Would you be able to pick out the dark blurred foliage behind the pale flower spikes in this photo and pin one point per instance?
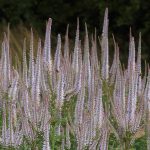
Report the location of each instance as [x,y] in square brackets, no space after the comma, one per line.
[123,14]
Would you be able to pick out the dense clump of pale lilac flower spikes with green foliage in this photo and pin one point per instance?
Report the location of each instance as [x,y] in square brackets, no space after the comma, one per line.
[74,101]
